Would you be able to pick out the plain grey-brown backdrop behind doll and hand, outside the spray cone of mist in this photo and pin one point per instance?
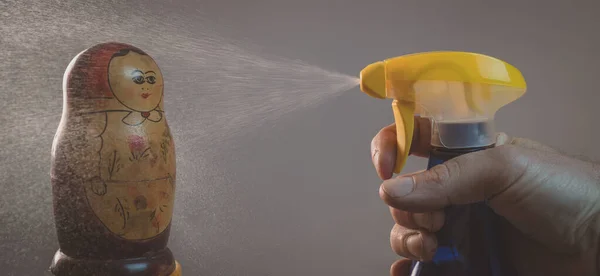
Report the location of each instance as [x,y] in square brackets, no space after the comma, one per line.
[298,197]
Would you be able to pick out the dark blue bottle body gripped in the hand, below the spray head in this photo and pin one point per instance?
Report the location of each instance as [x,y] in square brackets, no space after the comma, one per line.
[468,243]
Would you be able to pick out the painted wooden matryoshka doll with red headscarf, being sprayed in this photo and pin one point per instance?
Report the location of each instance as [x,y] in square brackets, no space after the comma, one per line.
[113,167]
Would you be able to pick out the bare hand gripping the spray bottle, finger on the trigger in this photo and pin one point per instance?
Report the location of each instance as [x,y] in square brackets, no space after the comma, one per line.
[551,201]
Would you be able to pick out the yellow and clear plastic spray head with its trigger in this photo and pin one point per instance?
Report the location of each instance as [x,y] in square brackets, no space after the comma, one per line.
[447,87]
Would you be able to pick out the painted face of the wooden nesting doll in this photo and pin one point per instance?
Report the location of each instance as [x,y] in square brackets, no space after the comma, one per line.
[135,80]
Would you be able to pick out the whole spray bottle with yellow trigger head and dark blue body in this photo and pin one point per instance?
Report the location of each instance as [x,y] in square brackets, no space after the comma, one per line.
[460,93]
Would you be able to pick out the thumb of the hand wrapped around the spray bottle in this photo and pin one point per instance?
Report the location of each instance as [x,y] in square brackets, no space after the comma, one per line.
[465,179]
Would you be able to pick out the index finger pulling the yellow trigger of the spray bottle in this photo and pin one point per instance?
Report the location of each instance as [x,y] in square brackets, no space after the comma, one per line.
[384,146]
